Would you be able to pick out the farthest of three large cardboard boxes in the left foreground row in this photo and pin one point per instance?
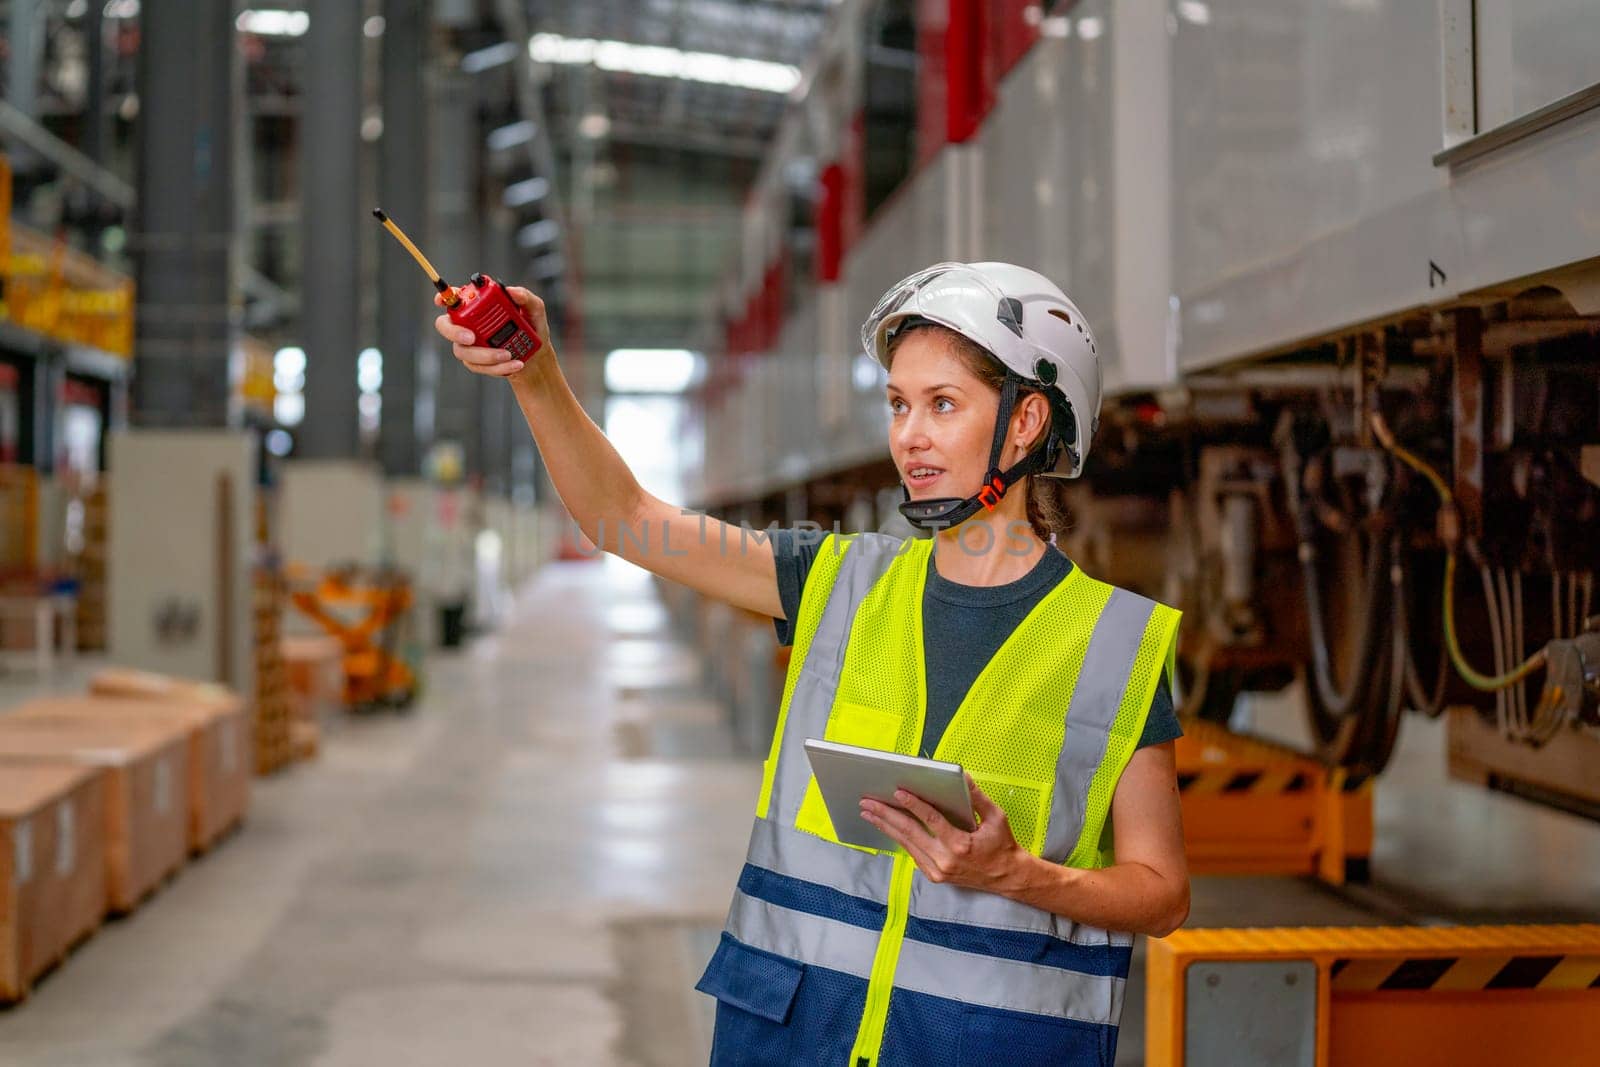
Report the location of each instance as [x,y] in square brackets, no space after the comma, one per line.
[220,757]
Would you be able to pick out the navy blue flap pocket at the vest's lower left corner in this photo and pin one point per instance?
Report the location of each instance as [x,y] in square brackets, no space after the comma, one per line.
[756,993]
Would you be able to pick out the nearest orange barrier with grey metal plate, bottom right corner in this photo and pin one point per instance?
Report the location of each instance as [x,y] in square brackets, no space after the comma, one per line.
[1375,997]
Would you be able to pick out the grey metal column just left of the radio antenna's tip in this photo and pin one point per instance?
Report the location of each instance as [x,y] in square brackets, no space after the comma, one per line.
[330,220]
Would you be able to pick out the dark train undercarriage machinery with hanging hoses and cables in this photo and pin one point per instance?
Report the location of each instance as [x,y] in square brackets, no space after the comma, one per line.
[1380,613]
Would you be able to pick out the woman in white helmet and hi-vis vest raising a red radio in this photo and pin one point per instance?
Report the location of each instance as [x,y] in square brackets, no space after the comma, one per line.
[982,645]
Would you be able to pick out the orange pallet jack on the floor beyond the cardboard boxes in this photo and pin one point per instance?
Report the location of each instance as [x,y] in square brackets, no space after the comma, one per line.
[367,612]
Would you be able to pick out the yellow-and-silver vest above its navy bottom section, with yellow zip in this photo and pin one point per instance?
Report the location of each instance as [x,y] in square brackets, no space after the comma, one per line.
[857,673]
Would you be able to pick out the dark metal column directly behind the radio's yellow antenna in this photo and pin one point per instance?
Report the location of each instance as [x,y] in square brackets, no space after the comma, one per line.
[404,295]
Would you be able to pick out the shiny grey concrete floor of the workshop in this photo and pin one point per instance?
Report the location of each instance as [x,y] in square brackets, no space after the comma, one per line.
[534,865]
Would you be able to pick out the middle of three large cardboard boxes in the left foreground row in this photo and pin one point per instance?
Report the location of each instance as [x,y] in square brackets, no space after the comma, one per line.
[146,773]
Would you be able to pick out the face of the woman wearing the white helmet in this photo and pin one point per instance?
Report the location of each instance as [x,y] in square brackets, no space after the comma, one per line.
[943,418]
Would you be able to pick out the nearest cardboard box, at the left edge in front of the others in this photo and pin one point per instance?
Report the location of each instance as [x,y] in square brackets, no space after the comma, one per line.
[54,889]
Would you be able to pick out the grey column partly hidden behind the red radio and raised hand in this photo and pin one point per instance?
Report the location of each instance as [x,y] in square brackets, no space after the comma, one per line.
[457,151]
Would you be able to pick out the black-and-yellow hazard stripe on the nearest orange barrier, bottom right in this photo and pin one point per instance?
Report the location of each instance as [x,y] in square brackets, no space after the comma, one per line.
[1466,973]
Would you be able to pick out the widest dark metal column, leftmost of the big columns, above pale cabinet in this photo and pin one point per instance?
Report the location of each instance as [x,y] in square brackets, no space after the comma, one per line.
[185,217]
